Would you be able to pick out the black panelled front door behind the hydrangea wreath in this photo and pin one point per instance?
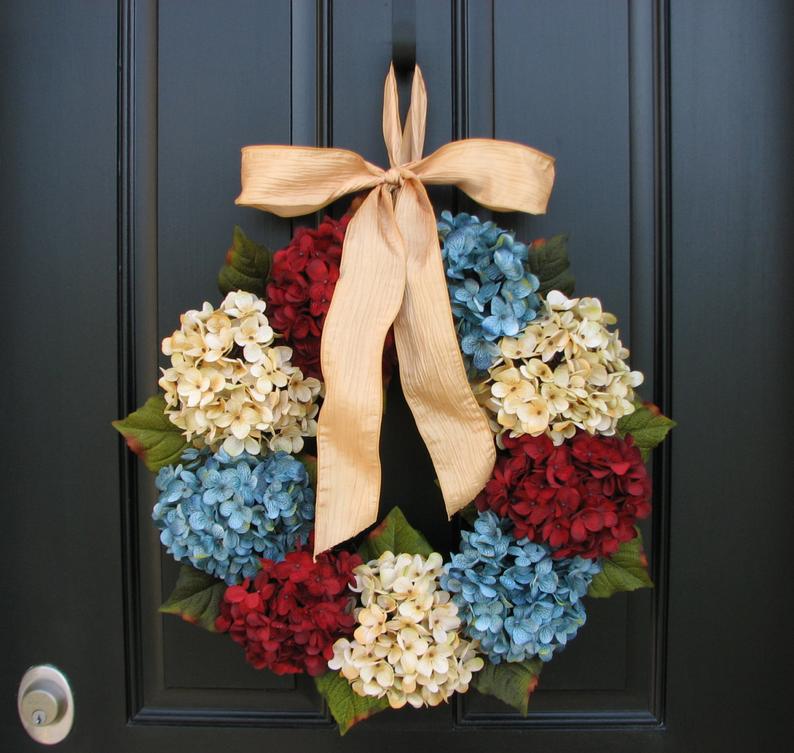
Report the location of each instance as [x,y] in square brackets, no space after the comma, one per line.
[120,131]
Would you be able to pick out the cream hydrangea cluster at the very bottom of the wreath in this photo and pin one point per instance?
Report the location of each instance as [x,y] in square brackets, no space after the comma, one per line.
[406,645]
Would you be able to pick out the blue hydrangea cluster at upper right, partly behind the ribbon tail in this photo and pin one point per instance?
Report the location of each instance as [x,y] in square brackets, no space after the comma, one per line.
[491,290]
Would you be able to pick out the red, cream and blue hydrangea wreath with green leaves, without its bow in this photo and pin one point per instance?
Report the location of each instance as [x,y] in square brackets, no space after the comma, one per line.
[392,623]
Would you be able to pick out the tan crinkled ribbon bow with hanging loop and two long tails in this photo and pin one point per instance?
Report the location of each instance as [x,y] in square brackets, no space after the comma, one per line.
[392,273]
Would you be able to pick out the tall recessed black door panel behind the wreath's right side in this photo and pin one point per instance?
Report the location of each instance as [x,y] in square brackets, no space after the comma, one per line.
[579,112]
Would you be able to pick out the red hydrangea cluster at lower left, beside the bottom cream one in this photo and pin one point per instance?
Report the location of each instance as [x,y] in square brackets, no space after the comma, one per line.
[296,610]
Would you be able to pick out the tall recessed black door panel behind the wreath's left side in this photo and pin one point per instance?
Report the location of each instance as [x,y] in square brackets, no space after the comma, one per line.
[218,86]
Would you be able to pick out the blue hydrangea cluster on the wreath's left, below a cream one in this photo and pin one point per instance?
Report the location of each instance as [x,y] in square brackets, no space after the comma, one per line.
[223,514]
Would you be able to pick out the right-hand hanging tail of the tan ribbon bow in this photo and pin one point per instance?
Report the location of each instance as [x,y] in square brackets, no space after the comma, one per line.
[432,373]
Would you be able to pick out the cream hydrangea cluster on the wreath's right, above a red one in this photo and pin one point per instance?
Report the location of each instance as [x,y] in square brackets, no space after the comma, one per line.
[565,370]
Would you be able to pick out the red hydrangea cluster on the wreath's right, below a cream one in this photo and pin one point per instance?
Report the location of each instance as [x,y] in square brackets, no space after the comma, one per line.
[582,498]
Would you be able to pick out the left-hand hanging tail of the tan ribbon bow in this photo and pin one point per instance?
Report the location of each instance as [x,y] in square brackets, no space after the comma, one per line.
[366,300]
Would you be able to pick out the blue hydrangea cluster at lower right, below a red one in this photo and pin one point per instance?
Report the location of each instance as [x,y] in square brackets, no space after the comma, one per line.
[512,596]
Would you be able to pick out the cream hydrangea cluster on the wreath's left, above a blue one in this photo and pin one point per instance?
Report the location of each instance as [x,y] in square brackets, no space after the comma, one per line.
[229,386]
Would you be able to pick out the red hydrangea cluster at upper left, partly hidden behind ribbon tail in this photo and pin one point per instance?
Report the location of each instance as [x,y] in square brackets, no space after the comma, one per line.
[299,293]
